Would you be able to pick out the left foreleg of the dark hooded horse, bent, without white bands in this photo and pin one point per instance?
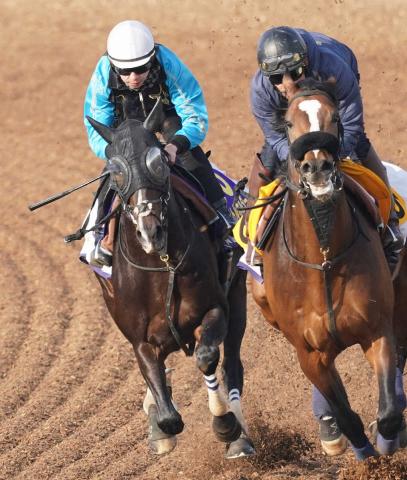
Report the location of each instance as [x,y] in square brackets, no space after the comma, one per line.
[153,370]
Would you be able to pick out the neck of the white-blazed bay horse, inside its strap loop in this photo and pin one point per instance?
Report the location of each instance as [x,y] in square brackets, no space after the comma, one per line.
[310,227]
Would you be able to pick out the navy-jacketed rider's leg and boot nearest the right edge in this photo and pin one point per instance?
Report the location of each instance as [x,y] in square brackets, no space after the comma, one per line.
[392,237]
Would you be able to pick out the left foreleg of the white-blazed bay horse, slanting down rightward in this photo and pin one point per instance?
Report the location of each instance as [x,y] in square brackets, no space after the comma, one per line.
[325,377]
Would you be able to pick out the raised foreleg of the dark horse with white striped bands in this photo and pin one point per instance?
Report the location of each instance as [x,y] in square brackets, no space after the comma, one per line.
[209,335]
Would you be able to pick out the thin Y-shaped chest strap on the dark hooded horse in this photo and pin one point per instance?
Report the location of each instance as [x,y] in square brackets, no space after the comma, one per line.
[187,349]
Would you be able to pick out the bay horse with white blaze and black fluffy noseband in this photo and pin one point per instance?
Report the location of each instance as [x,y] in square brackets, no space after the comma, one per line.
[327,285]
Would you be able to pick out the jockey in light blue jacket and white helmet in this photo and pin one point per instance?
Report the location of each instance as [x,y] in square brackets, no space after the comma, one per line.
[127,81]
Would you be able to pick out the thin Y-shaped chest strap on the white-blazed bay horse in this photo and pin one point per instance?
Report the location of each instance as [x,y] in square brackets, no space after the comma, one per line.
[325,267]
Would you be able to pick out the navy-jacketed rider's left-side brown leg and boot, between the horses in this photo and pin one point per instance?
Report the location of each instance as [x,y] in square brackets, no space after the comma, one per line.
[259,176]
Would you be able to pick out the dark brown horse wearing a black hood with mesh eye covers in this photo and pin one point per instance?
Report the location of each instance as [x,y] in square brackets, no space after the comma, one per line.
[165,294]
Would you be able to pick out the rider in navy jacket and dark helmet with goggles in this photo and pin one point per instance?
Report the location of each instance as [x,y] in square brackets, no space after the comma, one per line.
[304,54]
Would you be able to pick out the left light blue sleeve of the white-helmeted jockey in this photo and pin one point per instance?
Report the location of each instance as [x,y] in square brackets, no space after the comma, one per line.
[98,106]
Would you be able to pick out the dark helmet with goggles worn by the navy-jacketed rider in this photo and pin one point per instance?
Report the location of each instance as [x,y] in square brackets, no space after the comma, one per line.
[279,49]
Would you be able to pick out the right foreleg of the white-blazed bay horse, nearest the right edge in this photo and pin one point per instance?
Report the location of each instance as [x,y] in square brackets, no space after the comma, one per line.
[381,355]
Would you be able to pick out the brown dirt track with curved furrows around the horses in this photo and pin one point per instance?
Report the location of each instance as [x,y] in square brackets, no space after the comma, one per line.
[70,391]
